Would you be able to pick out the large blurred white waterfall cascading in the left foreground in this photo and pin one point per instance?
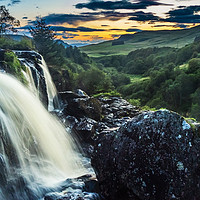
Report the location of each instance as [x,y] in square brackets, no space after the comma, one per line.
[34,146]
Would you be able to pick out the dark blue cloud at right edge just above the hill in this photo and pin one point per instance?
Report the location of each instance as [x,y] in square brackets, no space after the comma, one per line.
[188,14]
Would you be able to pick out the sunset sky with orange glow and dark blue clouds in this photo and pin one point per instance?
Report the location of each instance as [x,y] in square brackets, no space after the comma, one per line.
[83,22]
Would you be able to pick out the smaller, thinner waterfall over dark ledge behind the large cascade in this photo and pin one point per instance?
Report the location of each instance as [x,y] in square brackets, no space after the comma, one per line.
[37,70]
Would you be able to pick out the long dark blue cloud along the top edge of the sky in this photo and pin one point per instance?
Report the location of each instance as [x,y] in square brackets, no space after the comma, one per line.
[114,5]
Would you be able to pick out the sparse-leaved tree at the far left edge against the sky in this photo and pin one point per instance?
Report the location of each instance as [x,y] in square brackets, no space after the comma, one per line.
[7,22]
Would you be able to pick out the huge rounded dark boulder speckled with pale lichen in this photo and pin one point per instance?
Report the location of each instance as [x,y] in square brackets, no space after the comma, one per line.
[152,157]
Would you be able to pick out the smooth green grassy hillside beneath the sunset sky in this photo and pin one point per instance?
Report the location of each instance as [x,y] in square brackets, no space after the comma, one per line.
[144,39]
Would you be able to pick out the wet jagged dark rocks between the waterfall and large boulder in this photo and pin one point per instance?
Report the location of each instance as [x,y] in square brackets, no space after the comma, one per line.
[89,117]
